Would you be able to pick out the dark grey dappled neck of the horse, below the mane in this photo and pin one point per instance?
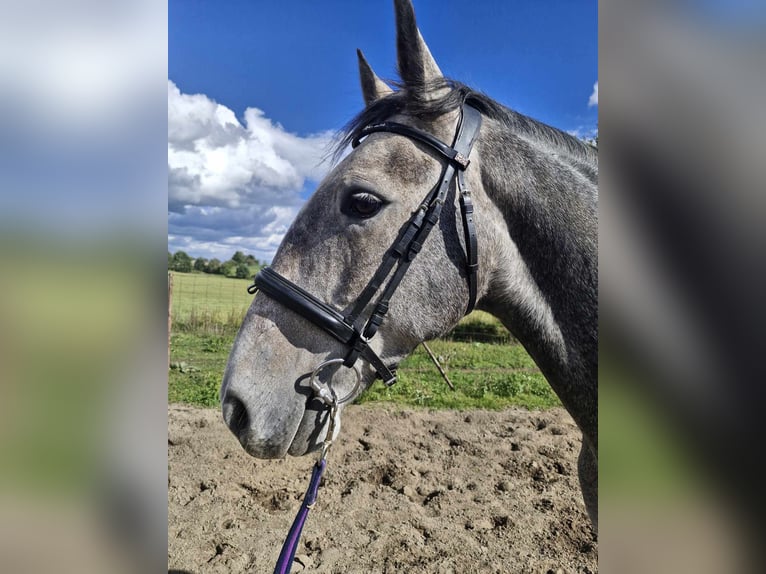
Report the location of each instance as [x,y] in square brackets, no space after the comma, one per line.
[542,280]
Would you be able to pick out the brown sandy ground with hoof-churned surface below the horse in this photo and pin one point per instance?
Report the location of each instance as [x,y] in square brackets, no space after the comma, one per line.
[404,491]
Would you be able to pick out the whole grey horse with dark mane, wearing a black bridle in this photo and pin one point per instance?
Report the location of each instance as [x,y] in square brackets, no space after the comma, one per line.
[535,194]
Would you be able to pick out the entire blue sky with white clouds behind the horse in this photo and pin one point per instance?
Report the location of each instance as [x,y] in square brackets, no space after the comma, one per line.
[238,177]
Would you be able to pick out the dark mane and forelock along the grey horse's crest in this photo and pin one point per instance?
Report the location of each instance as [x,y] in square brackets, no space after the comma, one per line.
[405,101]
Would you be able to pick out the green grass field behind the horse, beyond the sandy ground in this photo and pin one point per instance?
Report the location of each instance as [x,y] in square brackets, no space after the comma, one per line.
[489,370]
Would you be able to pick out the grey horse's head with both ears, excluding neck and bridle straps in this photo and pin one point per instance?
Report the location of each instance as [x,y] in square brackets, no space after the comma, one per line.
[336,245]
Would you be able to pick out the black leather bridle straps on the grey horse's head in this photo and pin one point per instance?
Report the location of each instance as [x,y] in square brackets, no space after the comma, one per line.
[352,329]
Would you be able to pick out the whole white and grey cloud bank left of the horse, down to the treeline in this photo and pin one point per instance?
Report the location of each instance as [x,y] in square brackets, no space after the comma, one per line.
[233,185]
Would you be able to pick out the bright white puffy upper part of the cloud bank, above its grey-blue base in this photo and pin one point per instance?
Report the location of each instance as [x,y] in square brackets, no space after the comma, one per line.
[215,160]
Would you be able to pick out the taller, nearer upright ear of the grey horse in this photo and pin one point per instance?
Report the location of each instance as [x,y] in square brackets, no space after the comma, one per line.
[417,67]
